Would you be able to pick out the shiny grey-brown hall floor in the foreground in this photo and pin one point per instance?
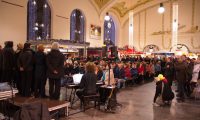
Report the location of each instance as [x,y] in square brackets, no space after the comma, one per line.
[137,105]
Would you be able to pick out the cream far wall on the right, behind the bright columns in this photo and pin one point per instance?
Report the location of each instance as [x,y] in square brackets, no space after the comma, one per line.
[154,22]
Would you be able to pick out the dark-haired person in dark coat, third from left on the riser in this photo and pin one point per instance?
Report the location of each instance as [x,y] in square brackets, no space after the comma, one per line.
[25,64]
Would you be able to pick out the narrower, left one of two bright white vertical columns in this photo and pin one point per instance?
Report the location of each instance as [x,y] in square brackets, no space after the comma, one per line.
[130,43]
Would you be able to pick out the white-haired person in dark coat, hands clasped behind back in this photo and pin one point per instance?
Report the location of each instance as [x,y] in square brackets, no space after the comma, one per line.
[55,70]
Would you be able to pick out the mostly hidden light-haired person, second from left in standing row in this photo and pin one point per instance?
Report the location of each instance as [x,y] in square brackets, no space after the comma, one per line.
[17,76]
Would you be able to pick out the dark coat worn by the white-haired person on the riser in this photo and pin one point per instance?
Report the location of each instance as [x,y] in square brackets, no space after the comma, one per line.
[55,62]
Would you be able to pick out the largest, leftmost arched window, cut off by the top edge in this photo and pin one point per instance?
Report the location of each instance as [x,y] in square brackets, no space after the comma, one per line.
[38,20]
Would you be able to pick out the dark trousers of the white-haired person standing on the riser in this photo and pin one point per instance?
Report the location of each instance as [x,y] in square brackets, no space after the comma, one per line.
[54,88]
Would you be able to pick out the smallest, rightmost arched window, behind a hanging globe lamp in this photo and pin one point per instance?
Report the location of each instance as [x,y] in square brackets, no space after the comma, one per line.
[109,32]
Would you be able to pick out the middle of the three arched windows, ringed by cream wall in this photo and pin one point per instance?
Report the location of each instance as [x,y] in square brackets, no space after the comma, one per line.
[77,24]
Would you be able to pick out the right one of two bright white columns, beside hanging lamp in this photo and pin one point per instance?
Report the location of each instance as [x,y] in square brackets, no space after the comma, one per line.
[175,25]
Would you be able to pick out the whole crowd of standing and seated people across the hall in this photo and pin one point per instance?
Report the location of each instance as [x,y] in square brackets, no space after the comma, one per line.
[29,70]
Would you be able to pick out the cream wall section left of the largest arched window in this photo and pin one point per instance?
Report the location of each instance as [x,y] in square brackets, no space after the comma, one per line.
[13,22]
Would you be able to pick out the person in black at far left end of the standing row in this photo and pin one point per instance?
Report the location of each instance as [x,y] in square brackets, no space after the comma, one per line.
[8,62]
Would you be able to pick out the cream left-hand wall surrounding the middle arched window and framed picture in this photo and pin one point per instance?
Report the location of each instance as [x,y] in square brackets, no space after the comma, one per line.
[13,20]
